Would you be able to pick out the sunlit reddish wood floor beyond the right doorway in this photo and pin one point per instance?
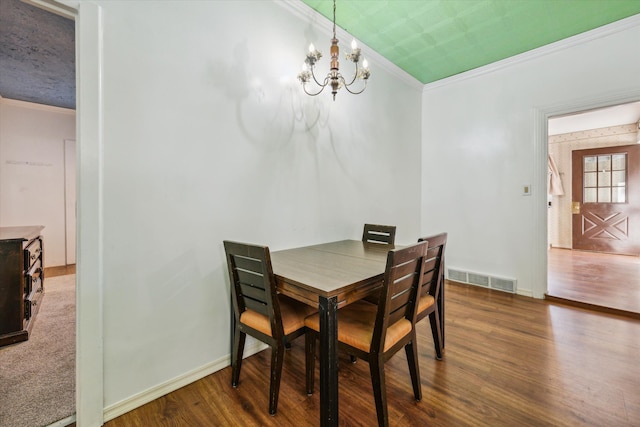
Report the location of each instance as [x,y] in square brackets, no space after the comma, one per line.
[595,280]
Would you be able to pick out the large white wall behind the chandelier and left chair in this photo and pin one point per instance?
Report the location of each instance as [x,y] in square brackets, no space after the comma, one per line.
[203,134]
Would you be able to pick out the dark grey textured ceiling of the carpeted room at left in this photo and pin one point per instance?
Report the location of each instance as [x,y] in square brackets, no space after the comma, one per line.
[37,55]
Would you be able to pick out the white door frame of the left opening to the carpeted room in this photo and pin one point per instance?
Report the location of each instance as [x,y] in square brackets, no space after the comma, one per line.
[89,196]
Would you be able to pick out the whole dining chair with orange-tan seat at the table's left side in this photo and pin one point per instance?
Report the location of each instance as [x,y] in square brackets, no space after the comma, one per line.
[260,312]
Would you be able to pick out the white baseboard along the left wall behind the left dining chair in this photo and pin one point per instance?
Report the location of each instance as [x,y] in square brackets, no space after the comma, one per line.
[144,397]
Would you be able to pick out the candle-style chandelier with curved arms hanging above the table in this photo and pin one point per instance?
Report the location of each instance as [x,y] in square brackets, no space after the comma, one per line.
[333,78]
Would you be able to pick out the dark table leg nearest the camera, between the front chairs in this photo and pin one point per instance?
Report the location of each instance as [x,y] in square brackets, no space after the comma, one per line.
[328,311]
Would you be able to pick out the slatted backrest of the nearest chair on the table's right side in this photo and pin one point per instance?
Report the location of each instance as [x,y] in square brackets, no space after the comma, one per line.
[400,290]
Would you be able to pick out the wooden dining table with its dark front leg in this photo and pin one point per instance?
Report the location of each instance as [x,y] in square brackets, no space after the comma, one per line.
[330,276]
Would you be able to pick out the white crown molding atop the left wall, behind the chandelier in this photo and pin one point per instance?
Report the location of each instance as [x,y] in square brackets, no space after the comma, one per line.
[308,14]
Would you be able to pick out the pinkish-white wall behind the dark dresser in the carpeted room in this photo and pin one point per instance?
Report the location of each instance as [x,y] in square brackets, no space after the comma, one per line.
[32,170]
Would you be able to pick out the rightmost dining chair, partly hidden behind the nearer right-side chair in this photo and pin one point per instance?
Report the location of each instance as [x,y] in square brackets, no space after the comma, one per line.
[431,288]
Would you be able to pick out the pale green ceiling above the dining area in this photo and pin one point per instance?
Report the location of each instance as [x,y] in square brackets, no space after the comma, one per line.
[434,39]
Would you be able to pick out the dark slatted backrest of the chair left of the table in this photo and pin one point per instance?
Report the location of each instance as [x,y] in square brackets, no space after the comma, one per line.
[253,283]
